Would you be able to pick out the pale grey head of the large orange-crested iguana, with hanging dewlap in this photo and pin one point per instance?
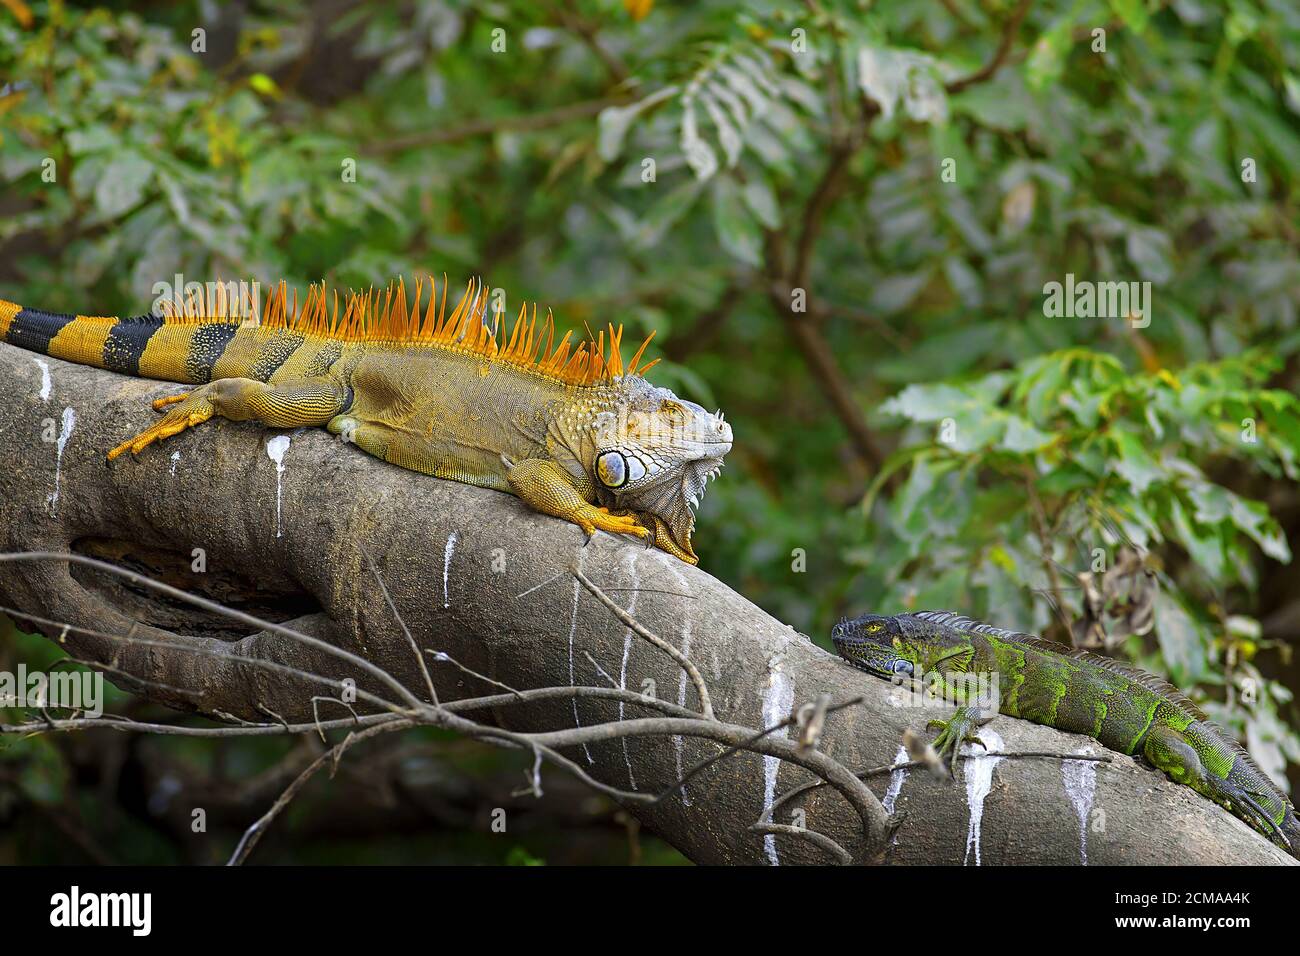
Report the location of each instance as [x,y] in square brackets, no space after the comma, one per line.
[653,453]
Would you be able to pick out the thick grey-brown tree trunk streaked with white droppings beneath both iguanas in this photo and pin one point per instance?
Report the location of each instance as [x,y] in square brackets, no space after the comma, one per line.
[479,576]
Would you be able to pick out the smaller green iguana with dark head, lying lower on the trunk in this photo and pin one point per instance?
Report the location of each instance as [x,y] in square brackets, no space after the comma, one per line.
[1117,704]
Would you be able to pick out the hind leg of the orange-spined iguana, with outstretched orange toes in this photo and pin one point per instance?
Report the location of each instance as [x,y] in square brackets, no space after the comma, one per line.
[285,405]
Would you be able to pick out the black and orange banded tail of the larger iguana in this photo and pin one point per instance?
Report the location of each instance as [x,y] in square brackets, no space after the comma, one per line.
[146,347]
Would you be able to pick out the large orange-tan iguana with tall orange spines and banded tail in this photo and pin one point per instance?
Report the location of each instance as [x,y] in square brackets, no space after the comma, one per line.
[574,432]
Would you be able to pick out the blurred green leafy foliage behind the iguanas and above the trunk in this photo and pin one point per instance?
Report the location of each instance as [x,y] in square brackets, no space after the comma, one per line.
[642,162]
